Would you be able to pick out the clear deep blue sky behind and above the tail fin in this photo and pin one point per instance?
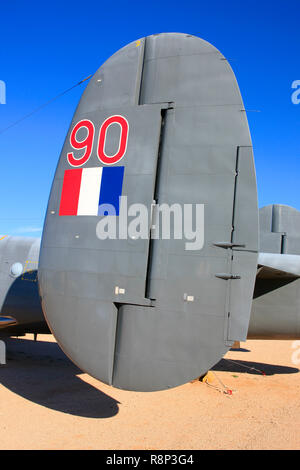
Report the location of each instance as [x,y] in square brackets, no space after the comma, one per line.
[47,47]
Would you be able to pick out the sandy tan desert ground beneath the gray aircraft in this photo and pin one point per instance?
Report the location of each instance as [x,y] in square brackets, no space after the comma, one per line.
[48,403]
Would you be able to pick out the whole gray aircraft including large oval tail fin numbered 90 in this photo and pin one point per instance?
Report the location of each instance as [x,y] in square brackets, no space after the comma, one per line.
[161,122]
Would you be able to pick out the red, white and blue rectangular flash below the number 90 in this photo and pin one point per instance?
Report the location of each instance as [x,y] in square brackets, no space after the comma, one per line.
[91,191]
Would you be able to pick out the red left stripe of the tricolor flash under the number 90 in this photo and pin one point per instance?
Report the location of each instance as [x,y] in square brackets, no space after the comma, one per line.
[70,192]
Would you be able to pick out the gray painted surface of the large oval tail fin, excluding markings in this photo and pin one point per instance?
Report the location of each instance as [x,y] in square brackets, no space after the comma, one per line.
[189,143]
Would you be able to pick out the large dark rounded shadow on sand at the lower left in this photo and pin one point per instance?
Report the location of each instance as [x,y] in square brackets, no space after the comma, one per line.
[40,372]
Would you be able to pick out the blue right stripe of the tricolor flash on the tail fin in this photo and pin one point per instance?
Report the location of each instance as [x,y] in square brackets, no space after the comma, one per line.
[111,190]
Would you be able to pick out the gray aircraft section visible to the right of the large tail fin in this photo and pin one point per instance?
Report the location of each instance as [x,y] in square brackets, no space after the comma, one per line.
[276,305]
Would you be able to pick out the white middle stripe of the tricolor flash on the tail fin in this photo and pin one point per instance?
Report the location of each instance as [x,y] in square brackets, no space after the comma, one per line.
[89,191]
